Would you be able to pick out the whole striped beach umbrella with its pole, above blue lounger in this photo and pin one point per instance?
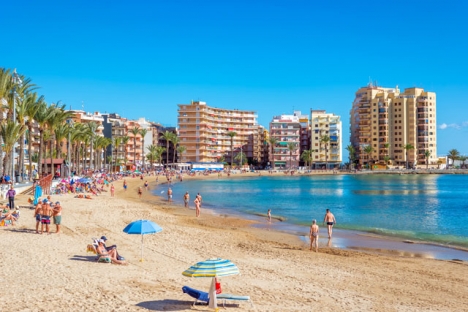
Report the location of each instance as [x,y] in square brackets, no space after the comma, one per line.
[212,268]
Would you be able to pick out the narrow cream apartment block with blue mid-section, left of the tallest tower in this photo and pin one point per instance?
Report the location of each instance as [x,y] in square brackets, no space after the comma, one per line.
[326,139]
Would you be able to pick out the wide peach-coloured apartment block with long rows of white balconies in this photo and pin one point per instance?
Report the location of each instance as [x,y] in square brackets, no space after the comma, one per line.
[203,130]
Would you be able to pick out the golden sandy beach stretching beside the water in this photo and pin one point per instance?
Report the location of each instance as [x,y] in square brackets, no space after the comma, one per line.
[55,273]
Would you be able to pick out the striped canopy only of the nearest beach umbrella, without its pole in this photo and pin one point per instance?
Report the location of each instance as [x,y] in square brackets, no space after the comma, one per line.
[212,268]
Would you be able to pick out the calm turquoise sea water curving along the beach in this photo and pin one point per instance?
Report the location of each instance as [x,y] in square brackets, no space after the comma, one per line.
[431,208]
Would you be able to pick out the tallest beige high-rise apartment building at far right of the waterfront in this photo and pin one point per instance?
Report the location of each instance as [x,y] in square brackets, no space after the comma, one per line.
[393,127]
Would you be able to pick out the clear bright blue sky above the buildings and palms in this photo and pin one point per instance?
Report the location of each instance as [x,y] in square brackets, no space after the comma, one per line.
[142,58]
